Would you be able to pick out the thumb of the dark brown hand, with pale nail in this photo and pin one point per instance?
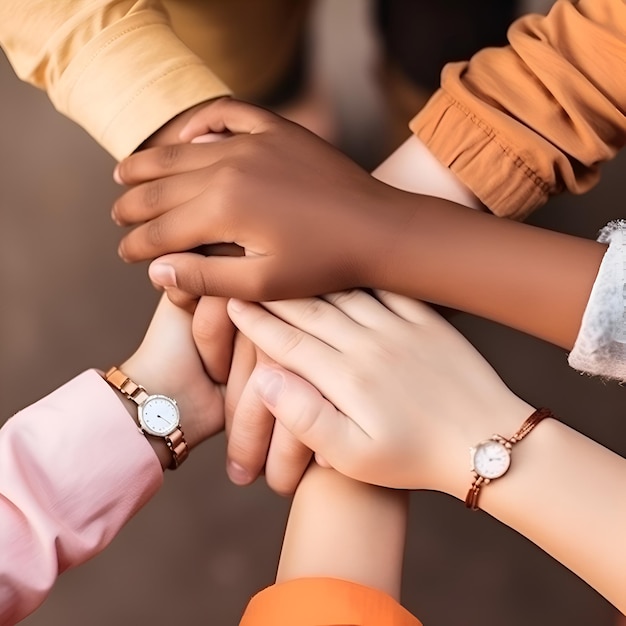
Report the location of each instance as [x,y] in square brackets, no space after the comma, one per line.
[216,275]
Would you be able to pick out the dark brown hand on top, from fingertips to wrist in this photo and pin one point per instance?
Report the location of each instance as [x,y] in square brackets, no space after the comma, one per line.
[309,219]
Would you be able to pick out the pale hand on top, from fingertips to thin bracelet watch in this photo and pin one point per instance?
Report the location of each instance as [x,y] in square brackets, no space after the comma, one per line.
[385,390]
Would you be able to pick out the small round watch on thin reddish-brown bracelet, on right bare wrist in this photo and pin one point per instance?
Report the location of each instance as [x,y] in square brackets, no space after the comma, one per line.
[491,459]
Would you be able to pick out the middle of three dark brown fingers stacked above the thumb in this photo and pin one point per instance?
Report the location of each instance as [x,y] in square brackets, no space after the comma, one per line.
[151,199]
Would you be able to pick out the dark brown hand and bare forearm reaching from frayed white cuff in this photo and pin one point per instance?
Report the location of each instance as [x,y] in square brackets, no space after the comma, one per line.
[311,222]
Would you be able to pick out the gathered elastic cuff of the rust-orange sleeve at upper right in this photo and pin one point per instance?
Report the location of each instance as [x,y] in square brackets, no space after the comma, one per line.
[484,160]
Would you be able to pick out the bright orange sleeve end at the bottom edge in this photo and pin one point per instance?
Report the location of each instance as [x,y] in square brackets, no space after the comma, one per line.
[324,602]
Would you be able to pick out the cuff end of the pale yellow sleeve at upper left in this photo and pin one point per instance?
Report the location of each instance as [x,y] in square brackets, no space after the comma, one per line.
[121,103]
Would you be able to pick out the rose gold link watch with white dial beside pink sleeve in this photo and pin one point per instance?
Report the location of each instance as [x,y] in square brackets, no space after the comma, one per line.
[158,415]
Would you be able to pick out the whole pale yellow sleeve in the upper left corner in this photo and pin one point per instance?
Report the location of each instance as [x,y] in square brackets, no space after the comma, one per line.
[116,68]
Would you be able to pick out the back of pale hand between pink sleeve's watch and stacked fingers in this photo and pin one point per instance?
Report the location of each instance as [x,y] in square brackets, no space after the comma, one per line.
[167,362]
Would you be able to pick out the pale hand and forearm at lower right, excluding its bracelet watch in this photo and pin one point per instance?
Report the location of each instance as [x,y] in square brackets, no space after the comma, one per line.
[411,425]
